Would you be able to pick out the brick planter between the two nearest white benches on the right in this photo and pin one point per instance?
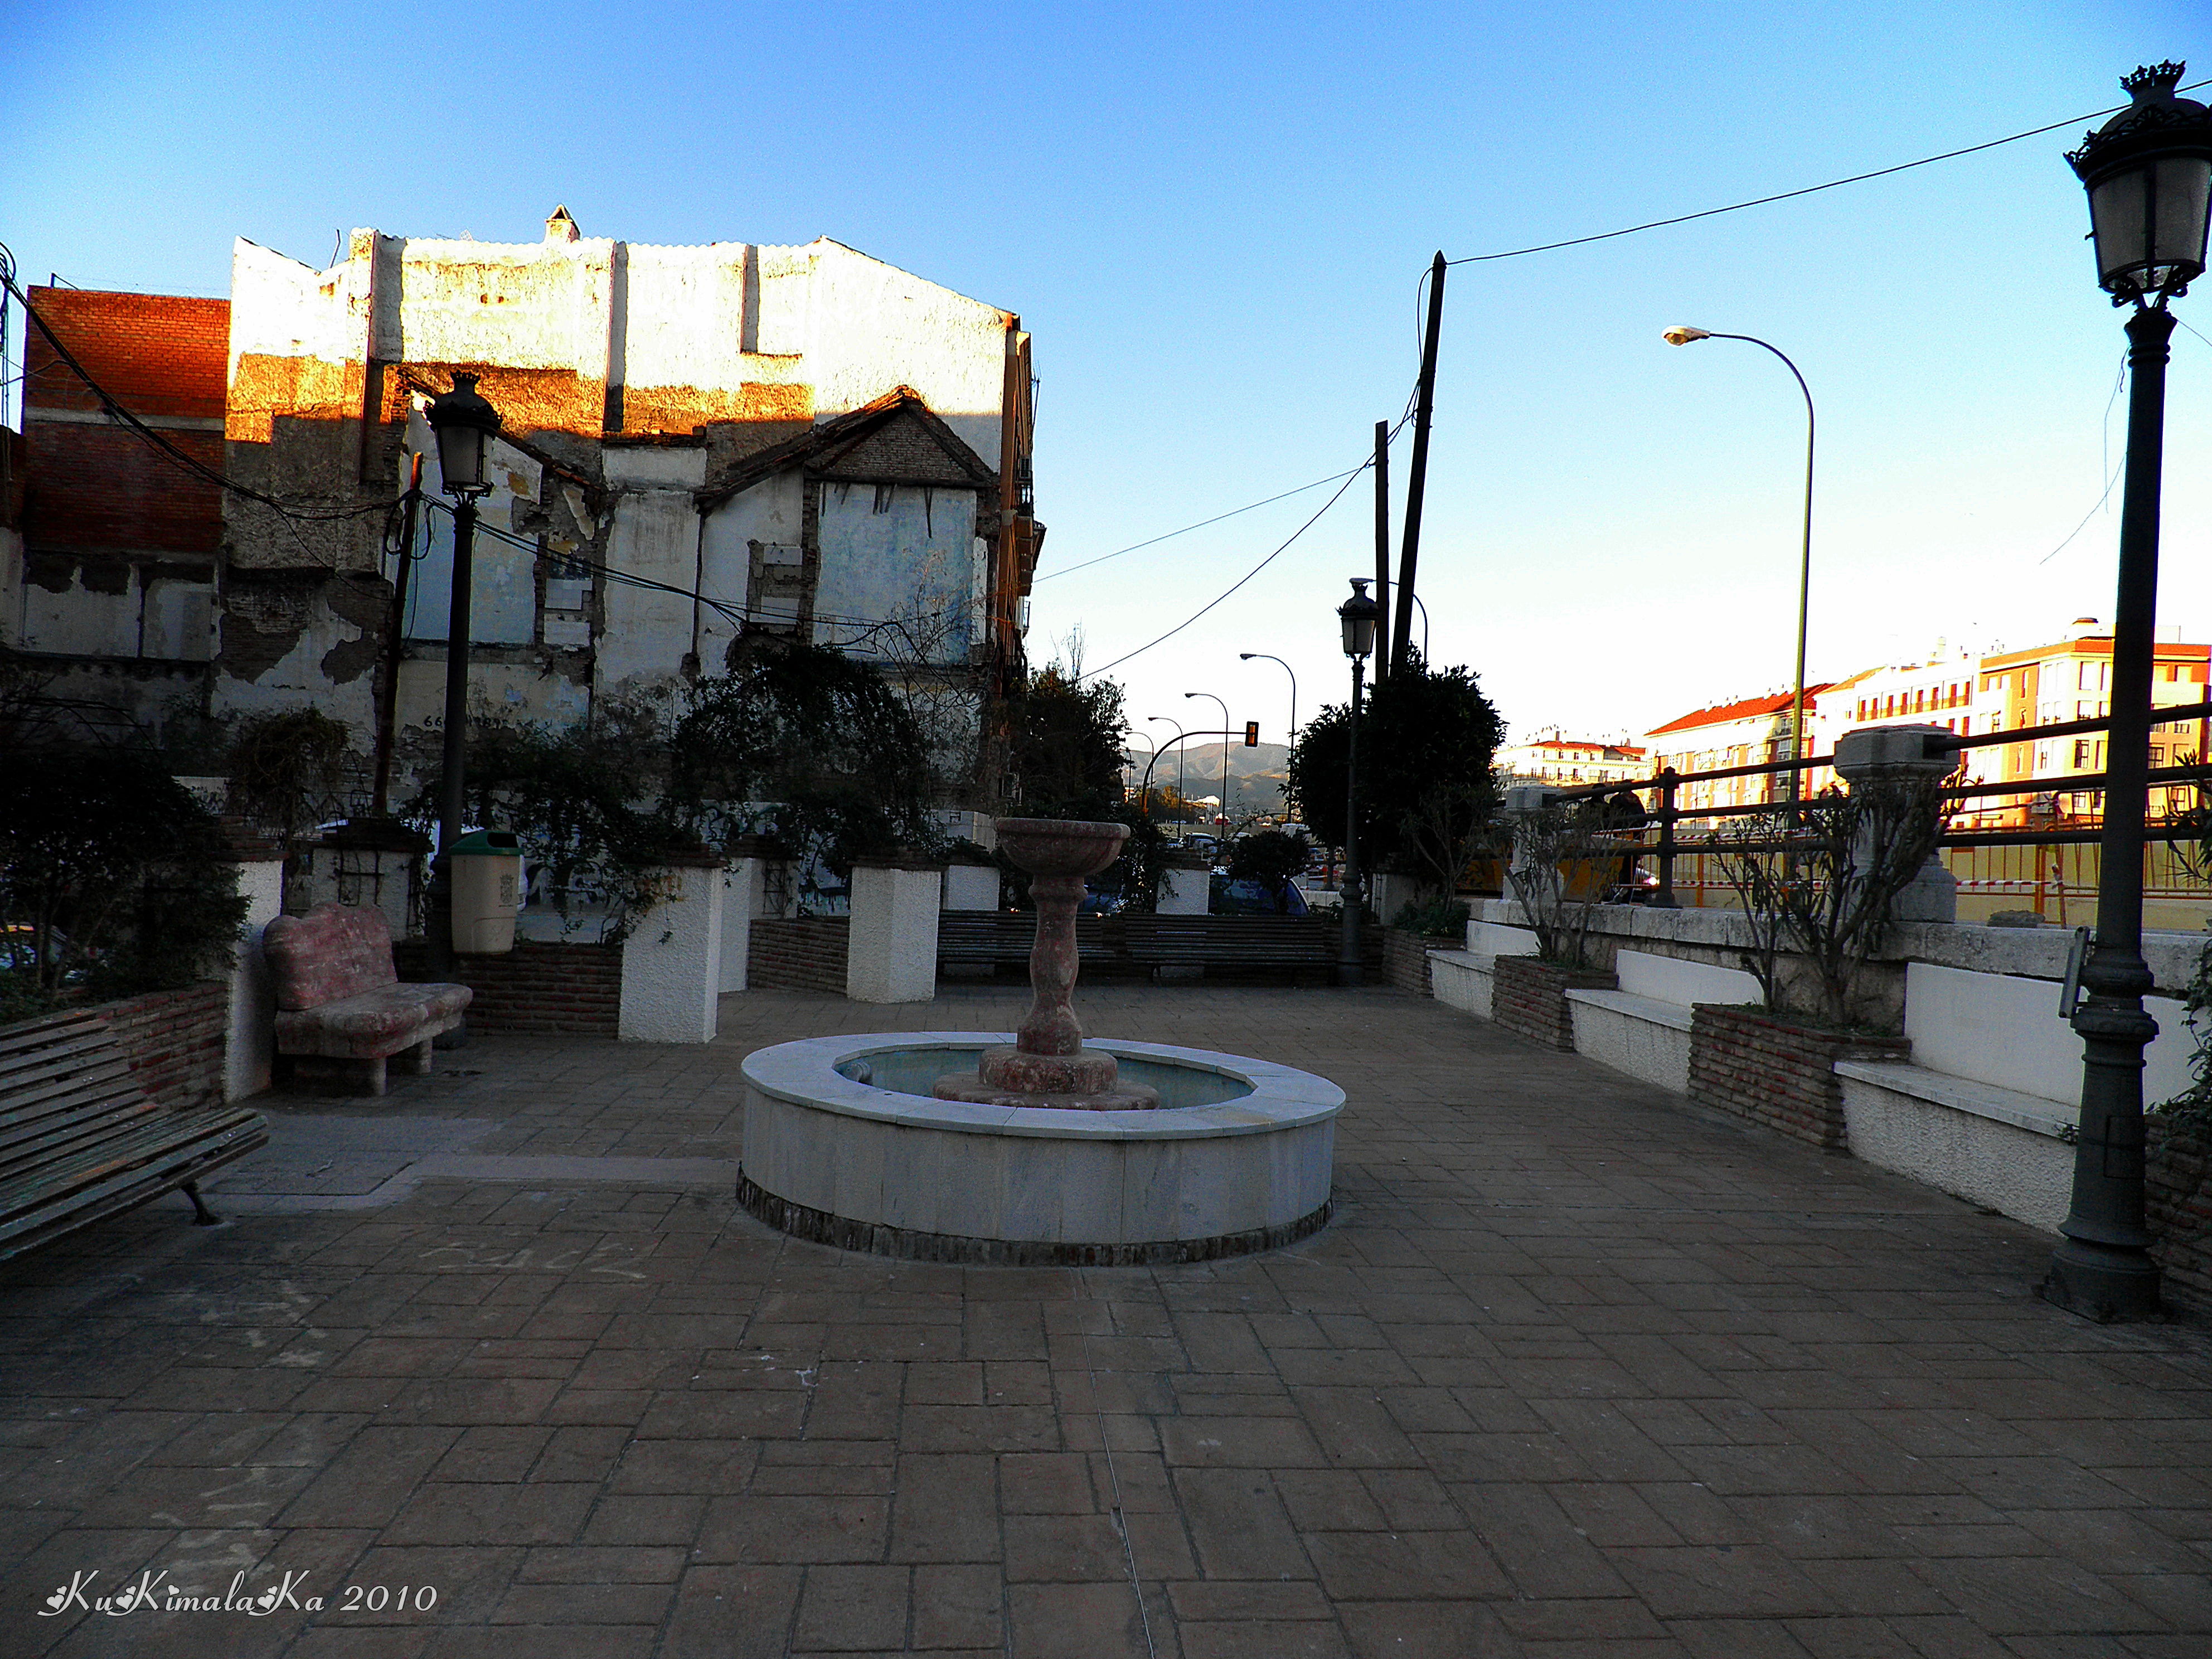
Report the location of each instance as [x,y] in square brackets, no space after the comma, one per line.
[1766,1070]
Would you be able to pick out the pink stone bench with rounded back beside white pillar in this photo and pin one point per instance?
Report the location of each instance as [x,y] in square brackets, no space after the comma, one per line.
[340,997]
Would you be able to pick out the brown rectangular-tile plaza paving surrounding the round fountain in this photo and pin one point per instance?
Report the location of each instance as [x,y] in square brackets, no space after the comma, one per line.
[1576,1370]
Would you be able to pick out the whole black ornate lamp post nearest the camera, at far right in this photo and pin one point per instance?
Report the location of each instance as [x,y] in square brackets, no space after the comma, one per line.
[2149,178]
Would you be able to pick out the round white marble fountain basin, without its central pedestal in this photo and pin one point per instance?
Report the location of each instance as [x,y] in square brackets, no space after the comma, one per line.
[1235,1158]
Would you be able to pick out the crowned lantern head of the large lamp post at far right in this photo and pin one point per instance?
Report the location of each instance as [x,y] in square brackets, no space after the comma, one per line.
[2149,178]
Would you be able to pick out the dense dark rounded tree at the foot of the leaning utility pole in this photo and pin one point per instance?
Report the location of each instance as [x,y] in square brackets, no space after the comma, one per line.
[1426,771]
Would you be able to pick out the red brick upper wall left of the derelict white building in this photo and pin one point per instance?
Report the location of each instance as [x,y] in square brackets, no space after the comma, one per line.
[96,488]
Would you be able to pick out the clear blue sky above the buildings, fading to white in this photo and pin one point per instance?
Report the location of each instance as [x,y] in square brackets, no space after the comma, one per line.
[1215,218]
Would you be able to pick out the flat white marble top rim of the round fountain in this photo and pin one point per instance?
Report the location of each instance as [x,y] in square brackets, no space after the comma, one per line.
[806,1074]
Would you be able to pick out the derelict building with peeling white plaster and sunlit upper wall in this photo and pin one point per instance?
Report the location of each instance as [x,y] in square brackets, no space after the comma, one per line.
[698,446]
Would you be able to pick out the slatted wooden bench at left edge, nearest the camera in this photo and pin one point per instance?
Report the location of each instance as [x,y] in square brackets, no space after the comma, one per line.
[81,1140]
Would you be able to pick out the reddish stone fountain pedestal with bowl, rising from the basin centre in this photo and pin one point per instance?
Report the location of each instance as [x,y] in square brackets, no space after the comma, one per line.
[1047,1065]
